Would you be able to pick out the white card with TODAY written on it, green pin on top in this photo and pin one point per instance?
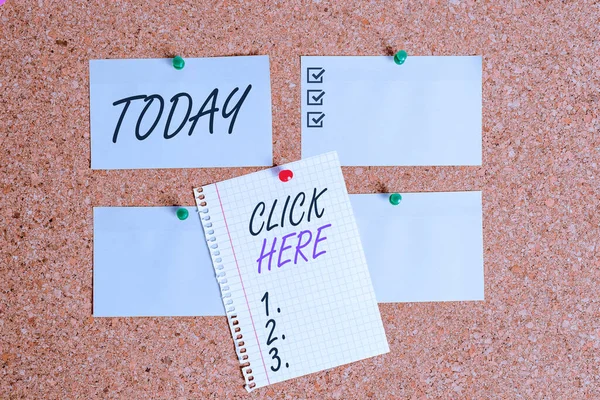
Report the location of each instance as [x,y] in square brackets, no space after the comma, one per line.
[146,114]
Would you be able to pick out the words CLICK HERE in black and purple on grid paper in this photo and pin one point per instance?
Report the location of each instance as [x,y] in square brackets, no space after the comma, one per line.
[301,245]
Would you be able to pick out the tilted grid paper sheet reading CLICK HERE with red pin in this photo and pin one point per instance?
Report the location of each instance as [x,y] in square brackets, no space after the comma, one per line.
[291,269]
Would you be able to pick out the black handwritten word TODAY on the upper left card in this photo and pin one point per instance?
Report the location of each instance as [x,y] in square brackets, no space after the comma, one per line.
[209,107]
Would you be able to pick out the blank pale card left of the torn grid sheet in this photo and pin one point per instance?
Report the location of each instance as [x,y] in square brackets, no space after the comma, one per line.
[149,263]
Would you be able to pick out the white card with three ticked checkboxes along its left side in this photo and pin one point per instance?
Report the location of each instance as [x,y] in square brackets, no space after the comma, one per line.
[374,112]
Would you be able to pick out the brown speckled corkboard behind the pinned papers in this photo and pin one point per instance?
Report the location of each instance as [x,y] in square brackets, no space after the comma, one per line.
[536,335]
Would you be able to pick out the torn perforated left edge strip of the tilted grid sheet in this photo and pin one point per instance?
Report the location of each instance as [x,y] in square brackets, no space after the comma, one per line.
[215,254]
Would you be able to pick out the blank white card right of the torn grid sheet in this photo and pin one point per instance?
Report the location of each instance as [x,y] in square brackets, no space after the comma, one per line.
[427,248]
